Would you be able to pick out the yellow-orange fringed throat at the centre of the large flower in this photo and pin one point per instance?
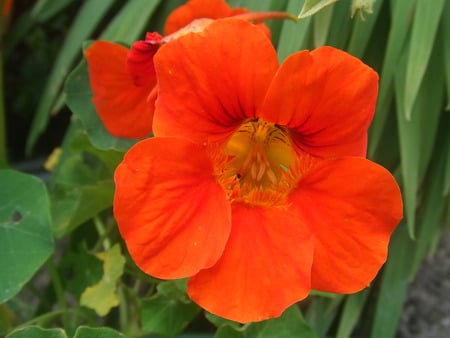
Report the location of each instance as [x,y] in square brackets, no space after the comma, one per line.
[258,165]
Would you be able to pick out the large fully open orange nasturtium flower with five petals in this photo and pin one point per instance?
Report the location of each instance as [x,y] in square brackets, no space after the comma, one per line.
[256,186]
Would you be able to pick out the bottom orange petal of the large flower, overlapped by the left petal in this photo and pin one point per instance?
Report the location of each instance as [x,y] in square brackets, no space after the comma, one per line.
[264,269]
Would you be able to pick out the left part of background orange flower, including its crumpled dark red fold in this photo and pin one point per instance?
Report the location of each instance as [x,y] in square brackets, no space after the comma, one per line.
[123,82]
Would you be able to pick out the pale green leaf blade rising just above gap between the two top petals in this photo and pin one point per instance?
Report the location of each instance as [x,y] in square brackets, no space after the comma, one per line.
[293,35]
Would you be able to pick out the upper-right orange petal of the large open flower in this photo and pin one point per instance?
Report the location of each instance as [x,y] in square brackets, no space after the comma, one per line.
[328,98]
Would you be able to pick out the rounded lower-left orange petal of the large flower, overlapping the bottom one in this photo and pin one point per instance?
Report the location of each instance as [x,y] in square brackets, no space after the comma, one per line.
[173,216]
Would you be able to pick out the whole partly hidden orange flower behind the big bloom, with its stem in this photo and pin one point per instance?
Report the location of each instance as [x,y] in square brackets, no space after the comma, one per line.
[122,80]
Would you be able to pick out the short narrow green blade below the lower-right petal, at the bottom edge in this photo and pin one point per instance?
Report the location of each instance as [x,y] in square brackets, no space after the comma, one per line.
[351,313]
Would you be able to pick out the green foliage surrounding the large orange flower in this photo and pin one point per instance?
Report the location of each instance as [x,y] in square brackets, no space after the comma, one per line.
[94,283]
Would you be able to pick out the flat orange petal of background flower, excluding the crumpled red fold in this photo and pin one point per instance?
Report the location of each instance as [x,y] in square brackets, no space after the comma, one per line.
[120,103]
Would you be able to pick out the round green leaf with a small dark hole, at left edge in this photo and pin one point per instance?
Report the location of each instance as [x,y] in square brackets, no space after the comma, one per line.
[25,230]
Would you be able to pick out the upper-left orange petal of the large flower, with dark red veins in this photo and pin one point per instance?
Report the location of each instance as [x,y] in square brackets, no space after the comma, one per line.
[210,82]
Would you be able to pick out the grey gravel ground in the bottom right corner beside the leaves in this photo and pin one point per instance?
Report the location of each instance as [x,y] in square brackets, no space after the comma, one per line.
[426,313]
